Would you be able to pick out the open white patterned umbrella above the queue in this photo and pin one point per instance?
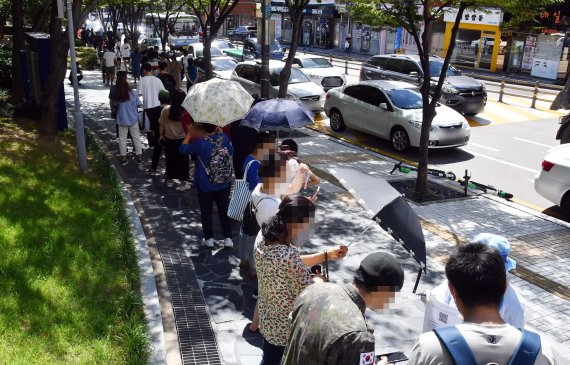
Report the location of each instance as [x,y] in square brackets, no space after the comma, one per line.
[218,102]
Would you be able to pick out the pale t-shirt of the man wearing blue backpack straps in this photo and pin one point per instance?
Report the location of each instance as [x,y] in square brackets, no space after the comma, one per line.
[489,344]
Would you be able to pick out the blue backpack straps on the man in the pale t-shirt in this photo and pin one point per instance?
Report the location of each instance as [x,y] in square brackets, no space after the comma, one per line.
[525,354]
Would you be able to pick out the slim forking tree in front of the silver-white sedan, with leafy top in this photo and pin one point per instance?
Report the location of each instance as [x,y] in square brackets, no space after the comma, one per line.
[412,15]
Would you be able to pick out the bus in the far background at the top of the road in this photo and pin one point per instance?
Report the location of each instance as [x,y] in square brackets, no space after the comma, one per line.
[180,24]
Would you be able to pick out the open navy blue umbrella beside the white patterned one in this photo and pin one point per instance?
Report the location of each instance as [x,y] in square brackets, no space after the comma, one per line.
[277,115]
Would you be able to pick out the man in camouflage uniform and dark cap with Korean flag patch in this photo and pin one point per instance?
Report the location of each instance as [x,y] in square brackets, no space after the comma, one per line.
[328,323]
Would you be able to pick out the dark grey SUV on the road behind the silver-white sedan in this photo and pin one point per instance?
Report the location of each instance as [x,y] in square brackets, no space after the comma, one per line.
[462,93]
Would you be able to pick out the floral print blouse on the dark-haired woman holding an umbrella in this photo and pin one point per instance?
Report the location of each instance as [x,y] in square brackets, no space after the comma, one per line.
[281,277]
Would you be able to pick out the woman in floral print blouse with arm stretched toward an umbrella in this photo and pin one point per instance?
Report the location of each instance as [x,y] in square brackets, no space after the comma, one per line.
[282,273]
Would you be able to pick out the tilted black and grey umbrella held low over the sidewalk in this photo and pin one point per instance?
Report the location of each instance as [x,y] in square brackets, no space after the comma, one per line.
[387,207]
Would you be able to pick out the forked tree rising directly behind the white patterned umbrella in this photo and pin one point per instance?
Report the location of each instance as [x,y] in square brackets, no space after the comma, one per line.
[215,13]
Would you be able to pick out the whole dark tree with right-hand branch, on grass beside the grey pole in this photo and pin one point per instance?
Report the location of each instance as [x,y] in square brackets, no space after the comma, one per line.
[58,63]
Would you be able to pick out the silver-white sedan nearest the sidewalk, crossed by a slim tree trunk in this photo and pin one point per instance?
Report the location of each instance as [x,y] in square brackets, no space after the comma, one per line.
[392,110]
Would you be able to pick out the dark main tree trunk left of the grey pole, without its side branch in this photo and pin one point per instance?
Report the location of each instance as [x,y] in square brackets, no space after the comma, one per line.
[53,83]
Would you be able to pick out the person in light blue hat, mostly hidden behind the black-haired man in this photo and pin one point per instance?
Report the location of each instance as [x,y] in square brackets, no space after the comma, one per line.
[511,307]
